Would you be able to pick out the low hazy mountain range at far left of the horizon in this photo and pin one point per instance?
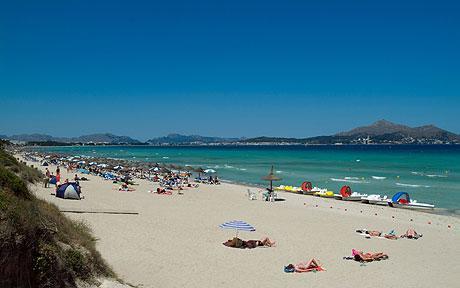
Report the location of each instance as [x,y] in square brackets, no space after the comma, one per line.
[93,138]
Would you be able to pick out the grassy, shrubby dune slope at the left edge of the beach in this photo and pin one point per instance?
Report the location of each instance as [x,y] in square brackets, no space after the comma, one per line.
[39,246]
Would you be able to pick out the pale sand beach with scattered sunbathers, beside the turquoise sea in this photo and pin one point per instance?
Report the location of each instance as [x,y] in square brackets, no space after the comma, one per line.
[175,241]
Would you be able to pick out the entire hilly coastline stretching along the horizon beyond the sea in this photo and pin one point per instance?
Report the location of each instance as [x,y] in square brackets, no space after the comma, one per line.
[381,132]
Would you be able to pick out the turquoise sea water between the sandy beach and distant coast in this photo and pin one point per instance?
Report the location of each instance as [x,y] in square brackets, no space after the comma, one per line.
[428,173]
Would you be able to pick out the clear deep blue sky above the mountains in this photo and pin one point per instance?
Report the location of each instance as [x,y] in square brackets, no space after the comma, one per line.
[227,68]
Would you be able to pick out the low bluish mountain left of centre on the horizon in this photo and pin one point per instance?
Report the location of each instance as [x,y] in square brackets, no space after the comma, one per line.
[178,139]
